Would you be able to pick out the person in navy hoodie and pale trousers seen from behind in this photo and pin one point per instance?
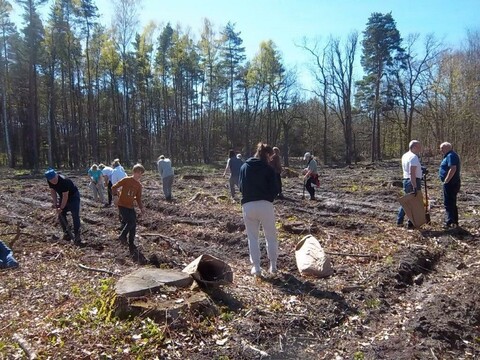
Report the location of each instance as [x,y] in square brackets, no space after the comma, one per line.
[259,187]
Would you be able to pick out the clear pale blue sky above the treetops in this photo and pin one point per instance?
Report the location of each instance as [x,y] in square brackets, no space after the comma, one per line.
[288,22]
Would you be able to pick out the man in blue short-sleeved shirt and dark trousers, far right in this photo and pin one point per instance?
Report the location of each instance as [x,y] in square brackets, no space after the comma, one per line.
[449,173]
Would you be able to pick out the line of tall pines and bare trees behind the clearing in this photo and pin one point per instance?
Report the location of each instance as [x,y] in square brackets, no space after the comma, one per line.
[74,91]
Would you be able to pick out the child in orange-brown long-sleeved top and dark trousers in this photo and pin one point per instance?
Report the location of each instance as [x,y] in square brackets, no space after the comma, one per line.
[131,190]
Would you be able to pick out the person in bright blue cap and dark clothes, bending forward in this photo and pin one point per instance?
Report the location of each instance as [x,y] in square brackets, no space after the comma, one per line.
[65,198]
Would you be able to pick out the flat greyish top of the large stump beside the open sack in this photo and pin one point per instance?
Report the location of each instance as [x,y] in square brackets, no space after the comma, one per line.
[149,280]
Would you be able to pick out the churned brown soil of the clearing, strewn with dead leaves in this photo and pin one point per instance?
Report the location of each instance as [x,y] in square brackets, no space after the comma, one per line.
[395,293]
